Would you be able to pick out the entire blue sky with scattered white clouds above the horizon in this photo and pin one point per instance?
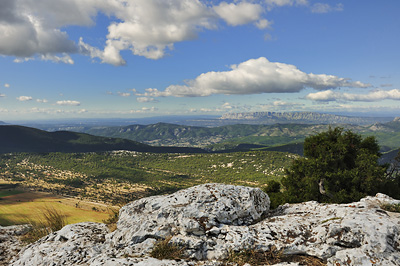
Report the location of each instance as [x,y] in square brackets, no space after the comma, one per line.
[136,58]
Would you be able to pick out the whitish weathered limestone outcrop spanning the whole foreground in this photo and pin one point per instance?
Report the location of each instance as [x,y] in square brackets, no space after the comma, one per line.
[212,221]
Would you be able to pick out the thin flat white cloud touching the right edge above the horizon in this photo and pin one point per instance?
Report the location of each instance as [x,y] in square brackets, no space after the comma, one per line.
[373,96]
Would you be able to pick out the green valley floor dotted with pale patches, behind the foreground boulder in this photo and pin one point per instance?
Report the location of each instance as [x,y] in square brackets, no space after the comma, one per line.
[121,176]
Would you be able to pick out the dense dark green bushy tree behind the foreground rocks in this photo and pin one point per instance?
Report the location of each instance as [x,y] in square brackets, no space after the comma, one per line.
[339,166]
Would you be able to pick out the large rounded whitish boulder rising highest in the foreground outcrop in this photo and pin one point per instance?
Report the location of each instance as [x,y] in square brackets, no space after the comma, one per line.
[193,211]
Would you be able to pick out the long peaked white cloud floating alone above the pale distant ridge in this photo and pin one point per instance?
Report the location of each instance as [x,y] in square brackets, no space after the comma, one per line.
[253,77]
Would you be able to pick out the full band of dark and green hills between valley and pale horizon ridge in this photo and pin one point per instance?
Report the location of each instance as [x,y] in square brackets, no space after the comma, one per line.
[283,138]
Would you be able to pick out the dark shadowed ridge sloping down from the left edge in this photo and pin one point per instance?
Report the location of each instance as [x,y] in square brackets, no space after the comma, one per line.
[26,139]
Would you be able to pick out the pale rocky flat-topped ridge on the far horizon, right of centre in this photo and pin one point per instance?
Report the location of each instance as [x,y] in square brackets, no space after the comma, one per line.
[302,118]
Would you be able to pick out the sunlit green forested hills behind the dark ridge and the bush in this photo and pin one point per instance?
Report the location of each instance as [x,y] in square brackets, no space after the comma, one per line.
[230,136]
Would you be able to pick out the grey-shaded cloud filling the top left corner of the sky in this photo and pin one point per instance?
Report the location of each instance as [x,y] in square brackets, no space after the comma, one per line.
[26,31]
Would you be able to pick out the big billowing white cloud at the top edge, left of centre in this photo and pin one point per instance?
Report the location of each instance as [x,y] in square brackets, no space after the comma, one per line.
[150,27]
